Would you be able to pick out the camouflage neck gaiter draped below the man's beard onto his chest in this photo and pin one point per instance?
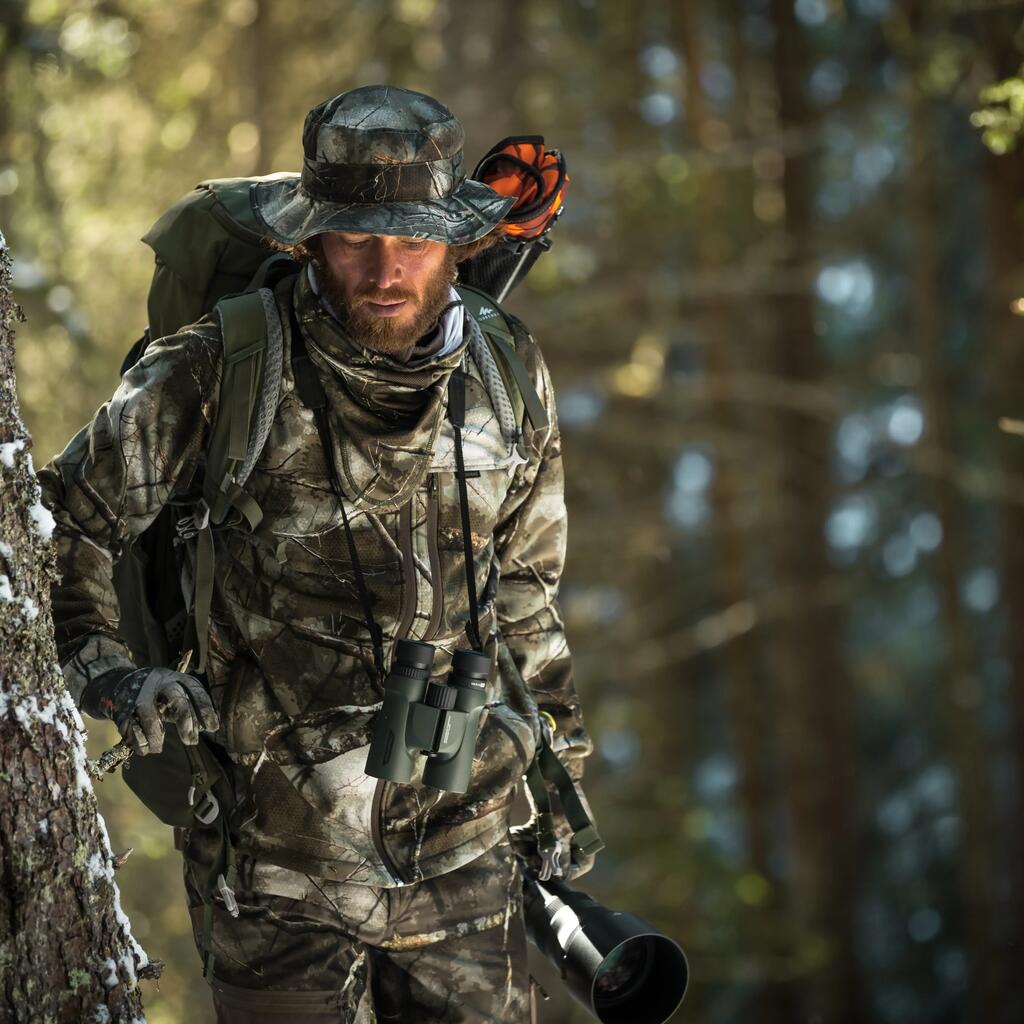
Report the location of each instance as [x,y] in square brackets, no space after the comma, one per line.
[386,415]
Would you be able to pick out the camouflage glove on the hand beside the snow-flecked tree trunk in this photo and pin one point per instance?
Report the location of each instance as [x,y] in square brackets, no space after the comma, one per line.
[140,702]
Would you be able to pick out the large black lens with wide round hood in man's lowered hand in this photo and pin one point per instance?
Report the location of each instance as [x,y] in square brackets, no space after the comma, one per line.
[623,970]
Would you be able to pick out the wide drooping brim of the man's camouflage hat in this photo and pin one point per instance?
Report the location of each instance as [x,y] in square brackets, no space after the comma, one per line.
[290,217]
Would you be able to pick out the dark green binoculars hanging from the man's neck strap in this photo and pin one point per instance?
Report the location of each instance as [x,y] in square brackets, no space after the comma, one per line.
[438,719]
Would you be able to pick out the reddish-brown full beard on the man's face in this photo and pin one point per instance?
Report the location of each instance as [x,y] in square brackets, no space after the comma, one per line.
[382,334]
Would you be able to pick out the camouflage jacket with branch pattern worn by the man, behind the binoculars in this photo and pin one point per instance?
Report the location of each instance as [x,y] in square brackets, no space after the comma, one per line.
[291,663]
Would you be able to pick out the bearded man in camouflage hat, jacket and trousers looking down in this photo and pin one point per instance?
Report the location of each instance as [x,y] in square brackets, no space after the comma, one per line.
[356,899]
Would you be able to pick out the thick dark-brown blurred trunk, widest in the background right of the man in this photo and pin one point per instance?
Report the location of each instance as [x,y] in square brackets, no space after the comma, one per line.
[815,710]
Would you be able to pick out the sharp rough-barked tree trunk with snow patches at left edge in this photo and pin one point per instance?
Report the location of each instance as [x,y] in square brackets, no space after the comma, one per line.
[66,950]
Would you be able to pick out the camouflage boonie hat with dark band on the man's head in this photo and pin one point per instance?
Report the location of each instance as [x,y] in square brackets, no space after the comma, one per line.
[385,161]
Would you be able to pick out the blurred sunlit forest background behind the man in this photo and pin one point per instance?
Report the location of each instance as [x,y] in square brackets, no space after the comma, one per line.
[783,314]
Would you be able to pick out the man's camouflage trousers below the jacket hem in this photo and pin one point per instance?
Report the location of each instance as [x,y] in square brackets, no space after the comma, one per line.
[303,950]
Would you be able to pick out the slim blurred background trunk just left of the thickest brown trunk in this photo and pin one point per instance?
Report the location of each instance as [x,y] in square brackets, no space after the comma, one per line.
[747,705]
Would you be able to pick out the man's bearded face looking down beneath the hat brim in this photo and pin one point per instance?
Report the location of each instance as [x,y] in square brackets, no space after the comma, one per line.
[389,290]
